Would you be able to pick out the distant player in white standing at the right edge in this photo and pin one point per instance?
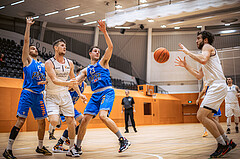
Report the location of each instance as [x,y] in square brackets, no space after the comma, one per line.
[232,105]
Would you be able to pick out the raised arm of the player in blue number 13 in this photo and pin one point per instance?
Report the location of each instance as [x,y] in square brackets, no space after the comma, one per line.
[108,53]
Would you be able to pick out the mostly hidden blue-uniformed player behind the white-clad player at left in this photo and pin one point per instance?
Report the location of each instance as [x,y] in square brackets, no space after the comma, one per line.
[77,115]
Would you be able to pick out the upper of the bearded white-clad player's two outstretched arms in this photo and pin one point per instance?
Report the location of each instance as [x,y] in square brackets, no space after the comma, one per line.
[201,58]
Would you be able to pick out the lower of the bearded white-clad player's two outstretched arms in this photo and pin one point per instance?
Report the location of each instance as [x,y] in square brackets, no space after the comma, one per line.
[194,72]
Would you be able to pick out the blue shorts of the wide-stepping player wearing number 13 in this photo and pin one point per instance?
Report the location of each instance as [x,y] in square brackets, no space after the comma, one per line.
[100,101]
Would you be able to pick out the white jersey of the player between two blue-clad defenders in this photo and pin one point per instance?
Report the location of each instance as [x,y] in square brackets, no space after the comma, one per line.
[62,72]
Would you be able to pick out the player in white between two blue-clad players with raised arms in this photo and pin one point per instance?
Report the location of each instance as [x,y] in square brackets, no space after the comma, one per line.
[58,99]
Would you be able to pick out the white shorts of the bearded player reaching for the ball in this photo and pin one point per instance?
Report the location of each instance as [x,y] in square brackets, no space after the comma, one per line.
[214,97]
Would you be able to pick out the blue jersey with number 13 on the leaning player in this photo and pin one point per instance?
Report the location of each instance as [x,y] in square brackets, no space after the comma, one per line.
[98,76]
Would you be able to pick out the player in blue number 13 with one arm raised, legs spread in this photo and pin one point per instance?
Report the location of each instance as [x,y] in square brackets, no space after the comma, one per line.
[103,97]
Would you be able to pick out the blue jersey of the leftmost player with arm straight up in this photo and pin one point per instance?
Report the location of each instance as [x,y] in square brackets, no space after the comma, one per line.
[34,73]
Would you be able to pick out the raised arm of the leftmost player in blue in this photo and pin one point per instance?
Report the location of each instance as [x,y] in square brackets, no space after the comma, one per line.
[26,59]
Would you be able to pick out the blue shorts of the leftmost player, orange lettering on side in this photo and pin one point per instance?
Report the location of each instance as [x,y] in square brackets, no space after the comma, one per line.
[33,101]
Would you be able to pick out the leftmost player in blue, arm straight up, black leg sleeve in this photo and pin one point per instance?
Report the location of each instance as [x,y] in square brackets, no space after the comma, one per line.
[31,96]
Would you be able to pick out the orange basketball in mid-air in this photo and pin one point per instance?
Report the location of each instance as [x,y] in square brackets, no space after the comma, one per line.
[161,55]
